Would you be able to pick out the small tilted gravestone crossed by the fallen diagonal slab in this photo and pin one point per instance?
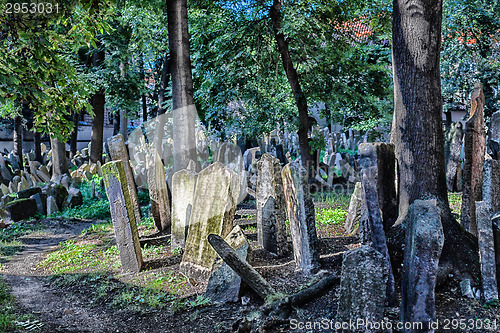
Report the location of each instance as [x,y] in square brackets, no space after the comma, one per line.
[224,284]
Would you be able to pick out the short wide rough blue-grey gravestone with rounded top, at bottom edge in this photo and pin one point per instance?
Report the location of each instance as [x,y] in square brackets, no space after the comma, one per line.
[363,285]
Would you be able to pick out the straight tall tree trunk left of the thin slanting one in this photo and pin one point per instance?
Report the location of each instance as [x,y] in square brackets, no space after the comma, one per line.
[184,110]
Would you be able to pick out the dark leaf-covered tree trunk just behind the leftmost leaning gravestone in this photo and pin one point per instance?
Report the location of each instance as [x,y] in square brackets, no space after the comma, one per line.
[98,103]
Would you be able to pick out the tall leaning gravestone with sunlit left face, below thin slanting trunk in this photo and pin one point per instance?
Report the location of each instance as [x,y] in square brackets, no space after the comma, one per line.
[300,211]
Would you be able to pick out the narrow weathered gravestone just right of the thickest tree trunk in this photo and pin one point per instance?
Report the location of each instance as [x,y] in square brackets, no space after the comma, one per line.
[452,154]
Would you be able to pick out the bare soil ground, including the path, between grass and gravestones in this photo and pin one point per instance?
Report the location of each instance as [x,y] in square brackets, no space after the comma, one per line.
[73,308]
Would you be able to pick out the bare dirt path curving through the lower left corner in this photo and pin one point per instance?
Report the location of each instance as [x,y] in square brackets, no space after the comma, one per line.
[57,311]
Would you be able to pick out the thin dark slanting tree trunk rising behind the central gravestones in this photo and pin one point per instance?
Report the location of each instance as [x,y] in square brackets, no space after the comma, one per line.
[293,79]
